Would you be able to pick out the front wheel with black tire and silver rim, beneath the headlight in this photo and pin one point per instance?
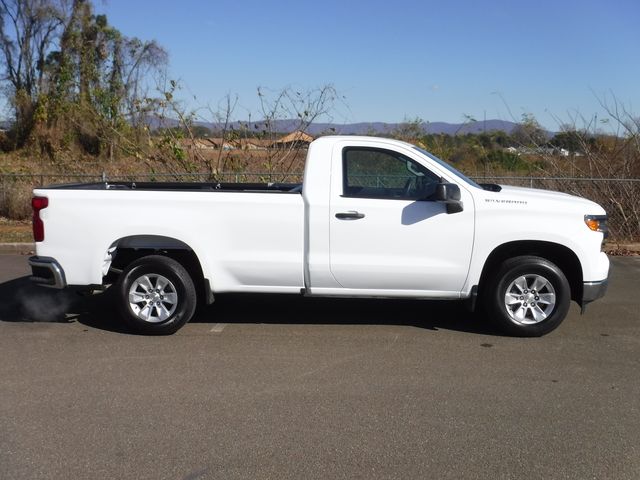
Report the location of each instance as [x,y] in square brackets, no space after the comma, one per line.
[516,308]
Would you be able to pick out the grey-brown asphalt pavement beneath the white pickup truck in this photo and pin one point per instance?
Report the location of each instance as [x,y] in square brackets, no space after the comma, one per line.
[286,387]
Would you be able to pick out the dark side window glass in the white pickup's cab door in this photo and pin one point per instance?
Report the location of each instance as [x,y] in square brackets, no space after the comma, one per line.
[376,173]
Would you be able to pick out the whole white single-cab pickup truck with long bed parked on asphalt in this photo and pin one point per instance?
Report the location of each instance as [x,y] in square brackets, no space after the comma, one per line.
[374,218]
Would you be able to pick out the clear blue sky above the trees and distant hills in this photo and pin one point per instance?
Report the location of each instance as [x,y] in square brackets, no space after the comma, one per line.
[400,59]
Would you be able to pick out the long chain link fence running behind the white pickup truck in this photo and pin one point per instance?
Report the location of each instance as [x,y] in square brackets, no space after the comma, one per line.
[619,197]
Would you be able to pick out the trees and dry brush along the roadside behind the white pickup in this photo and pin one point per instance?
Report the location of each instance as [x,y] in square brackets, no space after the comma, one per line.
[83,98]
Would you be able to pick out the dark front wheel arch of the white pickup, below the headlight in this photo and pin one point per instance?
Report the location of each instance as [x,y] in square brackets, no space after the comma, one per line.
[562,256]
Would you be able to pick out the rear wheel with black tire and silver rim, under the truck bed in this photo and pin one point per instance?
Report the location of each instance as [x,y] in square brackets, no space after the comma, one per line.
[166,294]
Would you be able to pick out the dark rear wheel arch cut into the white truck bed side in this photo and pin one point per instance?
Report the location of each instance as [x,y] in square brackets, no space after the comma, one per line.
[123,251]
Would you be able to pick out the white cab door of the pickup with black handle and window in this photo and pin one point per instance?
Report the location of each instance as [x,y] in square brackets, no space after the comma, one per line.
[388,234]
